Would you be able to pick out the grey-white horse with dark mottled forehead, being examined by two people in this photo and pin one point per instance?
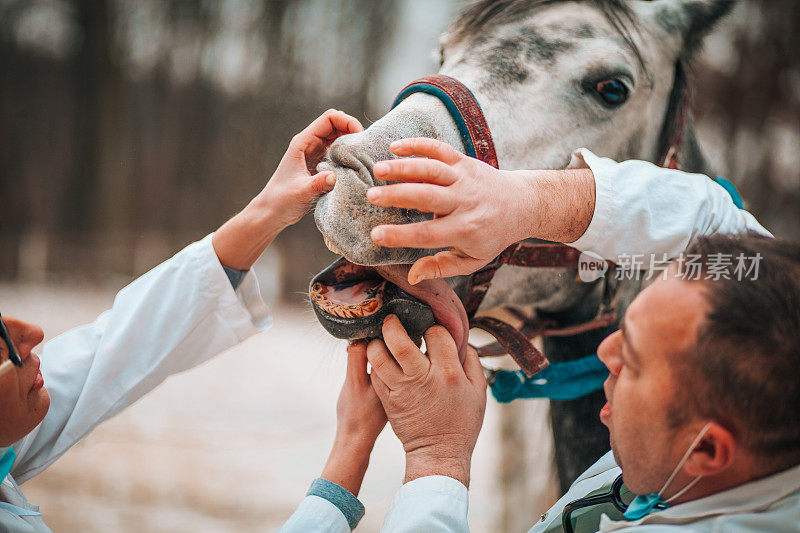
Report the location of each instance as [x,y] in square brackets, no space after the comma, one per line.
[551,76]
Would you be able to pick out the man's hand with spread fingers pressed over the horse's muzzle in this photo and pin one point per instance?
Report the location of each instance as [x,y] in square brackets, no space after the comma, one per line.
[478,210]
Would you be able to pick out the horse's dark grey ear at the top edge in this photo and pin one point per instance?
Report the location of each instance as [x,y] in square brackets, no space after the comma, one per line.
[691,19]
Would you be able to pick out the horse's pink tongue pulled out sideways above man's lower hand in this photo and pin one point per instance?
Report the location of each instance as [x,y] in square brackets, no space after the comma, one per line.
[447,308]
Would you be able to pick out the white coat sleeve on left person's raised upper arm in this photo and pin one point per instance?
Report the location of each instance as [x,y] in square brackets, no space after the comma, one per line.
[173,318]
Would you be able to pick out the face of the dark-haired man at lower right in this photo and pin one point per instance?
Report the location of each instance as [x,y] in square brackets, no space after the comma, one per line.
[659,327]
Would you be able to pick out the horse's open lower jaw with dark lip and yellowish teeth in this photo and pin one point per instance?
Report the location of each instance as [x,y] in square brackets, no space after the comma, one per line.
[351,302]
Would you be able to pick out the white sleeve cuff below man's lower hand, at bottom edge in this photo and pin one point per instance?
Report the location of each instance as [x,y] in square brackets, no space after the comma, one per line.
[434,504]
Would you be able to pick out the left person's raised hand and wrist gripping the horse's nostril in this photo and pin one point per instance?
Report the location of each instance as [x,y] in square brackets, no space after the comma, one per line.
[287,196]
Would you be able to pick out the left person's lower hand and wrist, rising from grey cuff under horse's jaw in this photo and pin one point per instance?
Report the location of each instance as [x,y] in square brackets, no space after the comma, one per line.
[359,420]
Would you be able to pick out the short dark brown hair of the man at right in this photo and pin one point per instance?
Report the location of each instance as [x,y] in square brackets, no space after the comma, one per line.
[744,371]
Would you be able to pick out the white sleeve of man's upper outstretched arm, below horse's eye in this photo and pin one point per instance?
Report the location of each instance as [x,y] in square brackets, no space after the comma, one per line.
[641,208]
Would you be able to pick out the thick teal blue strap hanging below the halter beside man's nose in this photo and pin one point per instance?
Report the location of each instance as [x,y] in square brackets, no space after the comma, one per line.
[567,380]
